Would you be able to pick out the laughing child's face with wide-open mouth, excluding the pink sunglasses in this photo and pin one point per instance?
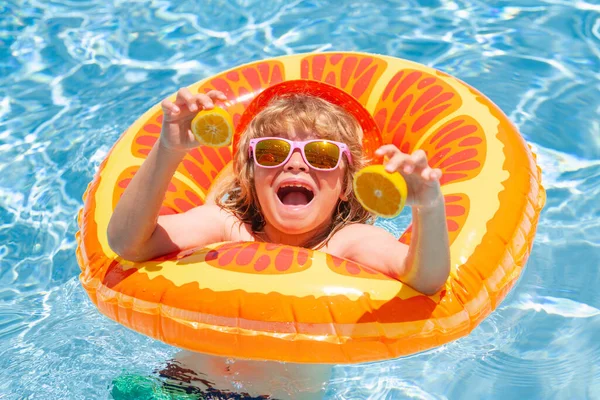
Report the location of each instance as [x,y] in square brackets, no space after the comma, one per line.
[294,210]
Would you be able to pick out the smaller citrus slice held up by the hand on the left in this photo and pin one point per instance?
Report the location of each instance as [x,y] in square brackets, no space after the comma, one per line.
[213,128]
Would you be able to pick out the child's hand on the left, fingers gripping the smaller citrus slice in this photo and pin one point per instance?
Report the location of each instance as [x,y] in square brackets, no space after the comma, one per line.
[176,132]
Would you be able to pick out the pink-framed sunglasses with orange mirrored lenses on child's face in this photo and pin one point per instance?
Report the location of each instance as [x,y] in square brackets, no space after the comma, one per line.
[322,155]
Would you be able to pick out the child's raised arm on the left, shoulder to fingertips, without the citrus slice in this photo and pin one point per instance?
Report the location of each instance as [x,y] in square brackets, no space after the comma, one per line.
[136,232]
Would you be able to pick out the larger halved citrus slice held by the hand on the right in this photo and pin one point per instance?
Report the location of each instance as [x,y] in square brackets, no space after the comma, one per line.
[380,192]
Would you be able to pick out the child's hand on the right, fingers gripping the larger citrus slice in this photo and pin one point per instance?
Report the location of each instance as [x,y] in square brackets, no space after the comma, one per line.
[423,181]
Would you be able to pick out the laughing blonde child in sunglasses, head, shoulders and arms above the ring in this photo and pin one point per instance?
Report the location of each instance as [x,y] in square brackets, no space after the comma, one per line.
[276,195]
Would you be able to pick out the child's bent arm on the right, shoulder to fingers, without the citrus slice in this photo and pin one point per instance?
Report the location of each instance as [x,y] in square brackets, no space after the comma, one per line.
[425,264]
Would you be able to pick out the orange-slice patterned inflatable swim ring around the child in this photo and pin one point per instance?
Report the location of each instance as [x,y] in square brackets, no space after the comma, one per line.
[274,302]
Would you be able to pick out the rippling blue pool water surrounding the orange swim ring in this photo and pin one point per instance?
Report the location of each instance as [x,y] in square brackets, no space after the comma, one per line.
[75,74]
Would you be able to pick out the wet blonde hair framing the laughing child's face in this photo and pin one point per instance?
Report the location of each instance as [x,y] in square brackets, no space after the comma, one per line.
[302,113]
